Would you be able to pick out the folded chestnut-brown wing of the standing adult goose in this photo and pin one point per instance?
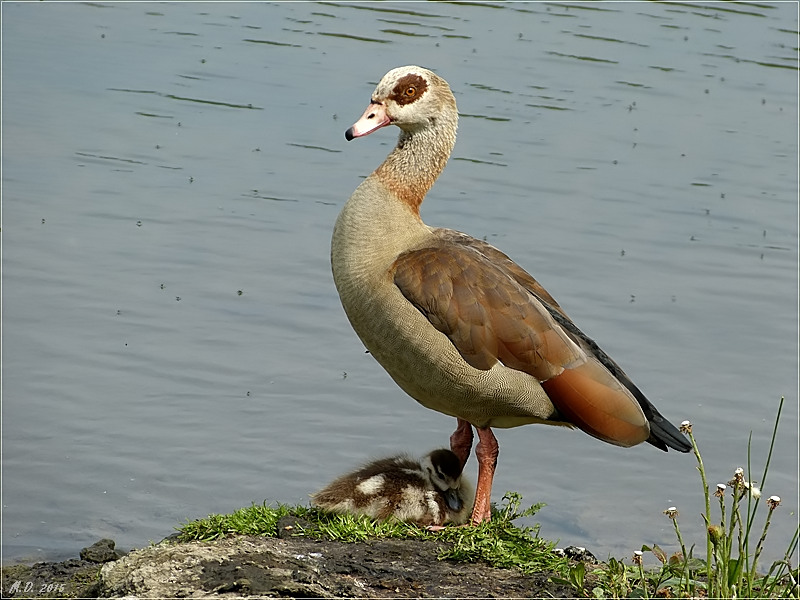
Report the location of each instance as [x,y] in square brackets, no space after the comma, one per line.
[492,310]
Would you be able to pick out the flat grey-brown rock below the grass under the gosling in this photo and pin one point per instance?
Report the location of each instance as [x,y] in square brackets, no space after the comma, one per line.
[302,567]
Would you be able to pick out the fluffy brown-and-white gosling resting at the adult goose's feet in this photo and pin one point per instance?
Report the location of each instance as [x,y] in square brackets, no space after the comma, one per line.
[429,492]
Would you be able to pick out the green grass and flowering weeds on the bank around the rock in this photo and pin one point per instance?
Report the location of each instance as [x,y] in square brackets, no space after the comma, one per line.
[734,534]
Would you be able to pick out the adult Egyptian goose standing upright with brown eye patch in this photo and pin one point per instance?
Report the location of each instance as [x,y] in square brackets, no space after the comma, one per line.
[457,324]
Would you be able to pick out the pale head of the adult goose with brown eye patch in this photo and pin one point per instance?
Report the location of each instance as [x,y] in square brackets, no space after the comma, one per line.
[410,97]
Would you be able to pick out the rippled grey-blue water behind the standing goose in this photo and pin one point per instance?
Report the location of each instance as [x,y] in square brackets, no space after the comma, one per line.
[173,342]
